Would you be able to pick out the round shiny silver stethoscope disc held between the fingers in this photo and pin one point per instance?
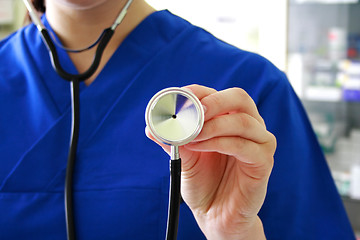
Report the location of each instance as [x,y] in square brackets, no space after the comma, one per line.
[175,116]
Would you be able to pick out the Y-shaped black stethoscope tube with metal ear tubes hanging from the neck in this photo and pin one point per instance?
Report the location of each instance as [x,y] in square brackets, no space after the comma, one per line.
[74,80]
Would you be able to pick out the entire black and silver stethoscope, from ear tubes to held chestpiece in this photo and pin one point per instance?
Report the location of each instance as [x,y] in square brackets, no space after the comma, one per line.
[174,116]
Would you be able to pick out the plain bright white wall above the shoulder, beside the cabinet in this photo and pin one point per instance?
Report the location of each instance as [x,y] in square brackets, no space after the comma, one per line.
[256,25]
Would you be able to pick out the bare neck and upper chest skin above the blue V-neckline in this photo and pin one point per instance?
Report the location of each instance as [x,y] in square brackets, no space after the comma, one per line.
[78,27]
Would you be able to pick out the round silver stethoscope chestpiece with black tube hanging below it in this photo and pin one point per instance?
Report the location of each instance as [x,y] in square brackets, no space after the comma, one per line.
[175,117]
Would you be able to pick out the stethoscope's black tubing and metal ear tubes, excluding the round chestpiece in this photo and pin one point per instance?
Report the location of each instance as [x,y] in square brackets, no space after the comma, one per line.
[75,79]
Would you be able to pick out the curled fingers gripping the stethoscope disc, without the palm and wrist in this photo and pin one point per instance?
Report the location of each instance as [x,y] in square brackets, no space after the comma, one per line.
[231,115]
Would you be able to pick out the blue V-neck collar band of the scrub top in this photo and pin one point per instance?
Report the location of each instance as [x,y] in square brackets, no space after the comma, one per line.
[141,45]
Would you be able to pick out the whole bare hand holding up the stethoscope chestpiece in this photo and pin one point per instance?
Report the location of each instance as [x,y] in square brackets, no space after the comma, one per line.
[225,170]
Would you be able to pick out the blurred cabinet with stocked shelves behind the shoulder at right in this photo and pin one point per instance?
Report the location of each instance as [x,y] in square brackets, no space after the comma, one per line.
[323,65]
